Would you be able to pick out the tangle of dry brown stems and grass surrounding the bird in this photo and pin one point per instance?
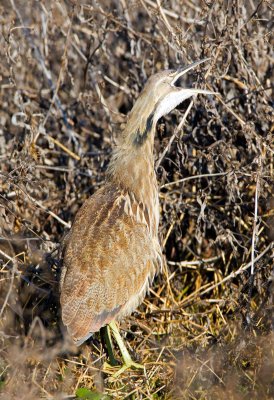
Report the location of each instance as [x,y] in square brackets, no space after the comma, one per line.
[70,72]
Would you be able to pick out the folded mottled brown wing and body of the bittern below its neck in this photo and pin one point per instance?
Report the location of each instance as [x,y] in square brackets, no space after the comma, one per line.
[109,257]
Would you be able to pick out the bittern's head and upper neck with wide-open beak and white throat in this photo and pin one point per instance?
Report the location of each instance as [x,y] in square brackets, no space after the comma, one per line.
[159,96]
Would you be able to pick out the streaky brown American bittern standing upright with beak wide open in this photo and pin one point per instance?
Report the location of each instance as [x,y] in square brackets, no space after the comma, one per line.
[112,252]
